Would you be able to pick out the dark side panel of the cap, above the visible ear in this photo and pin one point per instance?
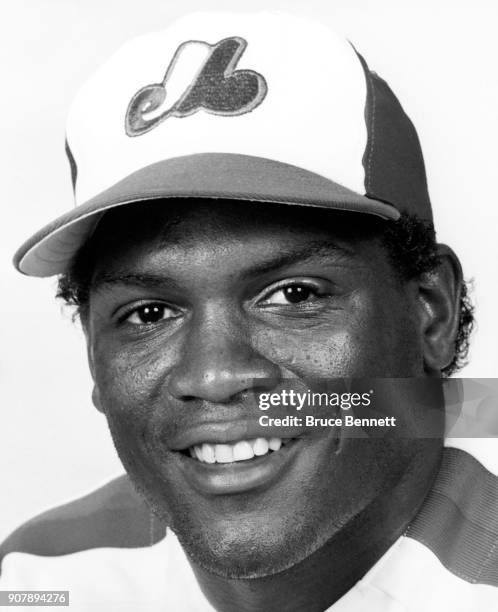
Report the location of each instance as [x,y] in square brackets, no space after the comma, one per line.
[393,161]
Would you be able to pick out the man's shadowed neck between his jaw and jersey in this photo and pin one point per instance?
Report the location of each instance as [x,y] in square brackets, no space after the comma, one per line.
[321,579]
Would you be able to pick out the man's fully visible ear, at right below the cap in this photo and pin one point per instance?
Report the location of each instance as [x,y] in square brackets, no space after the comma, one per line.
[439,299]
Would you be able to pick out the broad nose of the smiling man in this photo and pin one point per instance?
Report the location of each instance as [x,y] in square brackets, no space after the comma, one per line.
[217,362]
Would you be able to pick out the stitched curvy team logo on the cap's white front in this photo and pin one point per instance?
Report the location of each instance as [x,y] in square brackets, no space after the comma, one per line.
[199,77]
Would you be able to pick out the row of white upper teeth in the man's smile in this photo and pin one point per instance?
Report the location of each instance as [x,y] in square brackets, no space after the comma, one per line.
[240,451]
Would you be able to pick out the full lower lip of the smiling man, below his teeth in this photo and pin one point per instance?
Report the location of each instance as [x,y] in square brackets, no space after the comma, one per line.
[239,476]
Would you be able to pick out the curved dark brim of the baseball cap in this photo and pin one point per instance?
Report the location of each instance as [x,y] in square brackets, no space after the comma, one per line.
[203,175]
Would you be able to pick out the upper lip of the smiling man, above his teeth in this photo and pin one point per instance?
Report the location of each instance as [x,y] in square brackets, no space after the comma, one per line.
[229,432]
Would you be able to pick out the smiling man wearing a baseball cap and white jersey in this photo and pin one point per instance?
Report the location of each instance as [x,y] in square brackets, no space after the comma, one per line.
[252,217]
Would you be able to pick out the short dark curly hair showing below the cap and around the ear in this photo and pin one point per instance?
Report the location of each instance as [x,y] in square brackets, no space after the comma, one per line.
[410,243]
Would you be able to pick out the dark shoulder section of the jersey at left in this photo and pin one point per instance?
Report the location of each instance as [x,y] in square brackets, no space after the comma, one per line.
[113,515]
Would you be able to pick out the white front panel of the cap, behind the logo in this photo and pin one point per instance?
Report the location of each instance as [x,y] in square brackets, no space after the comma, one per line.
[311,115]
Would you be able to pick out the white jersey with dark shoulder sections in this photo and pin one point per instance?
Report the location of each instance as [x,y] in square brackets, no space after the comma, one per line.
[108,551]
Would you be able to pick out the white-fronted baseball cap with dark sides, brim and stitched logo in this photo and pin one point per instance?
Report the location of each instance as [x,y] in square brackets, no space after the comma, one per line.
[264,107]
